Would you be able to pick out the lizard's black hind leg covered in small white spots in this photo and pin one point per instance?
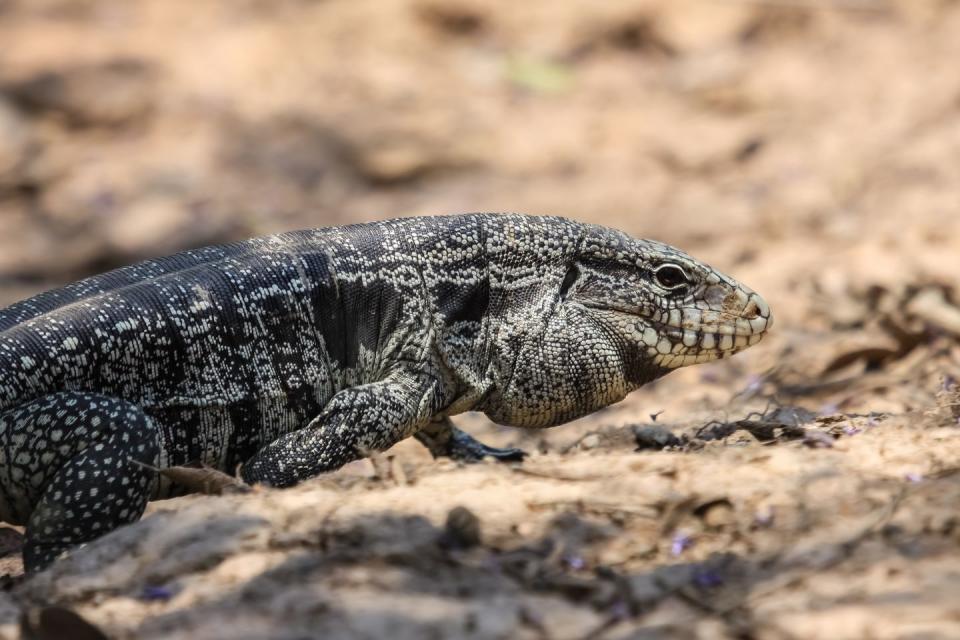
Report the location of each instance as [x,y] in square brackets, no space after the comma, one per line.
[71,470]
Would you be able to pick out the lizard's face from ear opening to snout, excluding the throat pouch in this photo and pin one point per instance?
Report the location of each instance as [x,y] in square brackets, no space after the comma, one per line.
[663,306]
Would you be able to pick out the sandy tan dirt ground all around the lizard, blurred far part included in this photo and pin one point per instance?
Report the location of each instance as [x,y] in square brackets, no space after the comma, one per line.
[811,148]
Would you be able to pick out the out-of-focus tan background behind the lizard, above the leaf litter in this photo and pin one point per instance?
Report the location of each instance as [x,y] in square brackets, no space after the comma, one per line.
[792,142]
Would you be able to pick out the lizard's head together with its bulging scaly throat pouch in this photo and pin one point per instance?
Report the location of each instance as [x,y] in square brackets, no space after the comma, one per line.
[614,313]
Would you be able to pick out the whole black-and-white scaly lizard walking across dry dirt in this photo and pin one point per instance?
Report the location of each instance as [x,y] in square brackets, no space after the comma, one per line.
[294,354]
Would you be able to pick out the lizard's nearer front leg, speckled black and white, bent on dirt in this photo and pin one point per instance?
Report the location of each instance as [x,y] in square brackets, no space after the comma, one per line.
[358,420]
